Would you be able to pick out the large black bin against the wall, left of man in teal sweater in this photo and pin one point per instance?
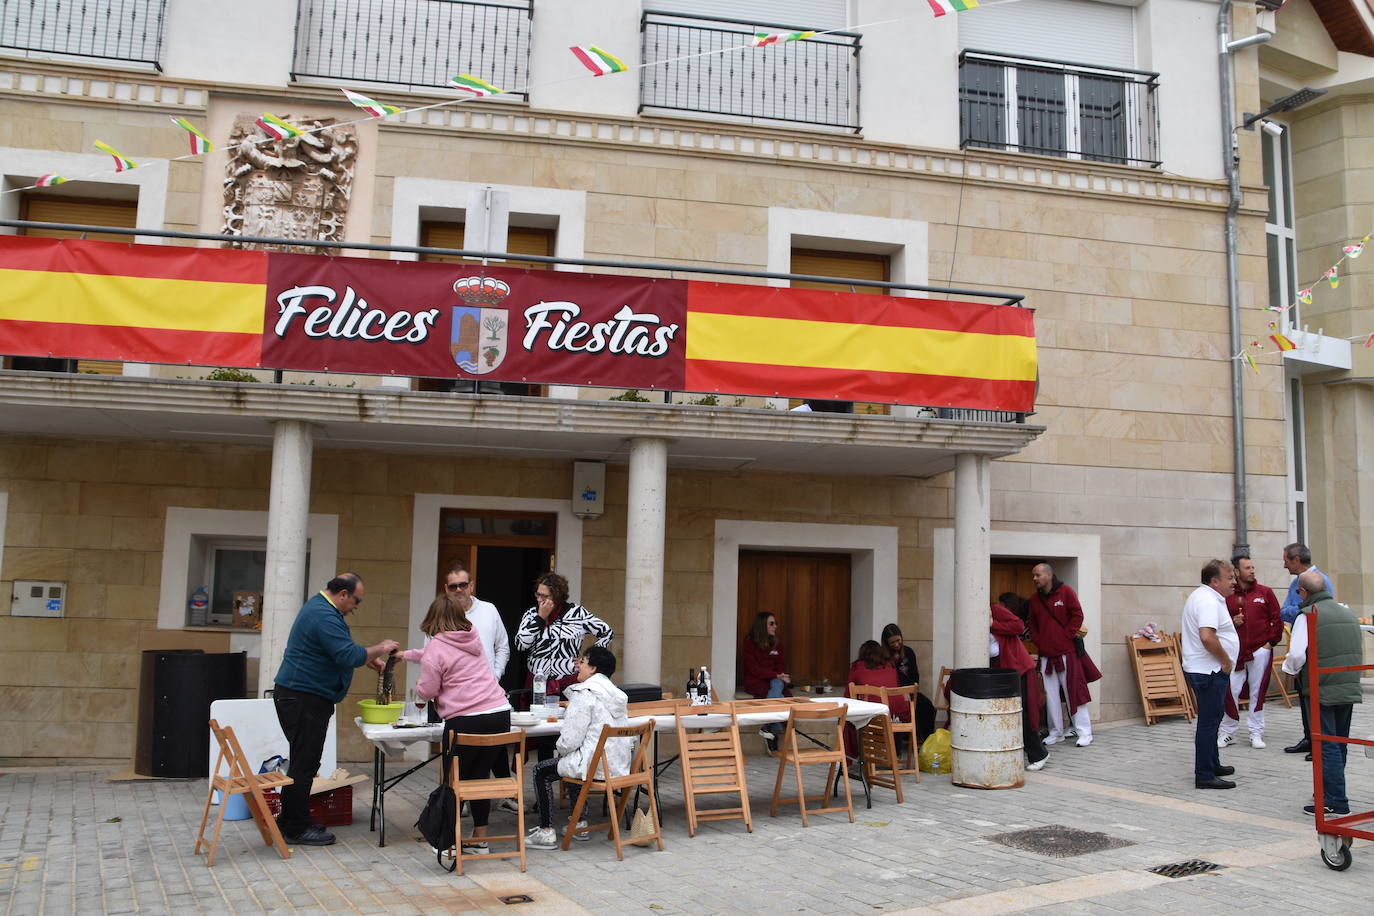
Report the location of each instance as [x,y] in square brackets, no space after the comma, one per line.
[175,696]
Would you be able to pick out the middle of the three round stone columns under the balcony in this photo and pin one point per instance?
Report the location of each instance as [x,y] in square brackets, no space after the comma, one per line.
[645,527]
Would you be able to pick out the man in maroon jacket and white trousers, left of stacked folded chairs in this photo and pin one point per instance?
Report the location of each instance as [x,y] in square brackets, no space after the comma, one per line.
[1056,619]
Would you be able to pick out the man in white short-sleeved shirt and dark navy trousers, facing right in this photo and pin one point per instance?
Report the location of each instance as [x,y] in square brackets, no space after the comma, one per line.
[1210,650]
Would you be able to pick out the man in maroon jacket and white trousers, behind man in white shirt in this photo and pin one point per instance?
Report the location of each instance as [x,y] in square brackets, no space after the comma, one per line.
[1257,613]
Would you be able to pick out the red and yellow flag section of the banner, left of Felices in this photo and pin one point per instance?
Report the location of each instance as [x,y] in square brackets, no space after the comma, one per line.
[135,303]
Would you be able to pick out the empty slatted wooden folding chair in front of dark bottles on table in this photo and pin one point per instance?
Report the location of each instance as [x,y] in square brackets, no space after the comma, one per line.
[712,764]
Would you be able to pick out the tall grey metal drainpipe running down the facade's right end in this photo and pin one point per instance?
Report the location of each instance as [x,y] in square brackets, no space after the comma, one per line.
[1232,163]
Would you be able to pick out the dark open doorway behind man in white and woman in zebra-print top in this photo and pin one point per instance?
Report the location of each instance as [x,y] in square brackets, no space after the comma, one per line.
[504,553]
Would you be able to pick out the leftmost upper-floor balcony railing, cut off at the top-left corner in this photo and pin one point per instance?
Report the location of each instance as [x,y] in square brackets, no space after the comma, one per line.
[128,31]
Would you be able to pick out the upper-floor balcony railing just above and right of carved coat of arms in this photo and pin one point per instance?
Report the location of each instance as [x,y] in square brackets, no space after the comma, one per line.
[418,45]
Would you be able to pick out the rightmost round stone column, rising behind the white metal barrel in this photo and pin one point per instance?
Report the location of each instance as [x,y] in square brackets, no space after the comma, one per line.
[972,514]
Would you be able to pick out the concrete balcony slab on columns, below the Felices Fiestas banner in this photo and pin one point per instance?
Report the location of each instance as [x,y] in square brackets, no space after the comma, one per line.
[410,422]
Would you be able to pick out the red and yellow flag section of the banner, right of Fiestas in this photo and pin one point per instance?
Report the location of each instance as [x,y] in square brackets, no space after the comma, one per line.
[814,344]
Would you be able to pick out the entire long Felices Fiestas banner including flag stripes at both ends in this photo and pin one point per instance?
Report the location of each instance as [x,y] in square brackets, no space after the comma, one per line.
[212,307]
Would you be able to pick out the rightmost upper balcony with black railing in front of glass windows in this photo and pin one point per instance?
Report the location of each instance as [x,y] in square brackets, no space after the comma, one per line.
[1052,108]
